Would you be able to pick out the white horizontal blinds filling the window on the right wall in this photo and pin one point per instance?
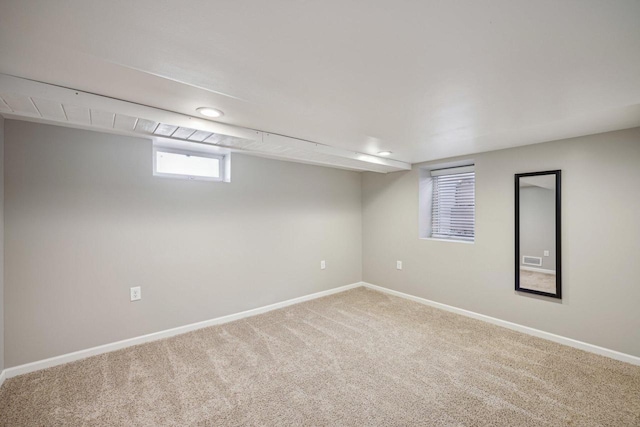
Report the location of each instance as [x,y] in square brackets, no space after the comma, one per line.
[453,209]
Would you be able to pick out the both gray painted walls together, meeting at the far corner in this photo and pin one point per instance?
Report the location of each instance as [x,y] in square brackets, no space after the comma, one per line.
[85,220]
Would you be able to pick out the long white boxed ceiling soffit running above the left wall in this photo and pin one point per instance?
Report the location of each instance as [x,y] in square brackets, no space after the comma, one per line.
[19,99]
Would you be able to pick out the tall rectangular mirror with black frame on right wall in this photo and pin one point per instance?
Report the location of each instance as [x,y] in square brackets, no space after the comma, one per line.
[538,267]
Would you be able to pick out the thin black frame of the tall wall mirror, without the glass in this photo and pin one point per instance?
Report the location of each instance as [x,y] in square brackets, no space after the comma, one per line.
[558,293]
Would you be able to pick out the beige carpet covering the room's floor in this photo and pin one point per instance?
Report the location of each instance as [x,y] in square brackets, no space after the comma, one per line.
[358,358]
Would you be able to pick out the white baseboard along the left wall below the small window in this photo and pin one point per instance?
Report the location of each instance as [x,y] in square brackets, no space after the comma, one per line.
[106,348]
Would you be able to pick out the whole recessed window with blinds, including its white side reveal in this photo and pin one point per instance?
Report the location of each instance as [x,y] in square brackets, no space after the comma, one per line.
[447,204]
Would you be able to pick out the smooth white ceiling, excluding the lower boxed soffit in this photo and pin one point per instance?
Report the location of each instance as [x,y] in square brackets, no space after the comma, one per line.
[424,79]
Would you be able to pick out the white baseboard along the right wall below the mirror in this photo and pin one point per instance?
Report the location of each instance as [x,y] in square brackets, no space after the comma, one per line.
[634,360]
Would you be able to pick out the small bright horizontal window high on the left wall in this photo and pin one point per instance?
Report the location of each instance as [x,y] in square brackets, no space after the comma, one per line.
[177,163]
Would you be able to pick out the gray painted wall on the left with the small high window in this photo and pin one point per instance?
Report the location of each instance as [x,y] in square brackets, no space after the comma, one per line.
[86,220]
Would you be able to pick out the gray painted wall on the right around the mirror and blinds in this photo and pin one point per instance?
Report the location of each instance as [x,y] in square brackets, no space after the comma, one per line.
[600,238]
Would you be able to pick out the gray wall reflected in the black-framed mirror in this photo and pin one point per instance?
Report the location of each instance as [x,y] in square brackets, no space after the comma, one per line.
[538,225]
